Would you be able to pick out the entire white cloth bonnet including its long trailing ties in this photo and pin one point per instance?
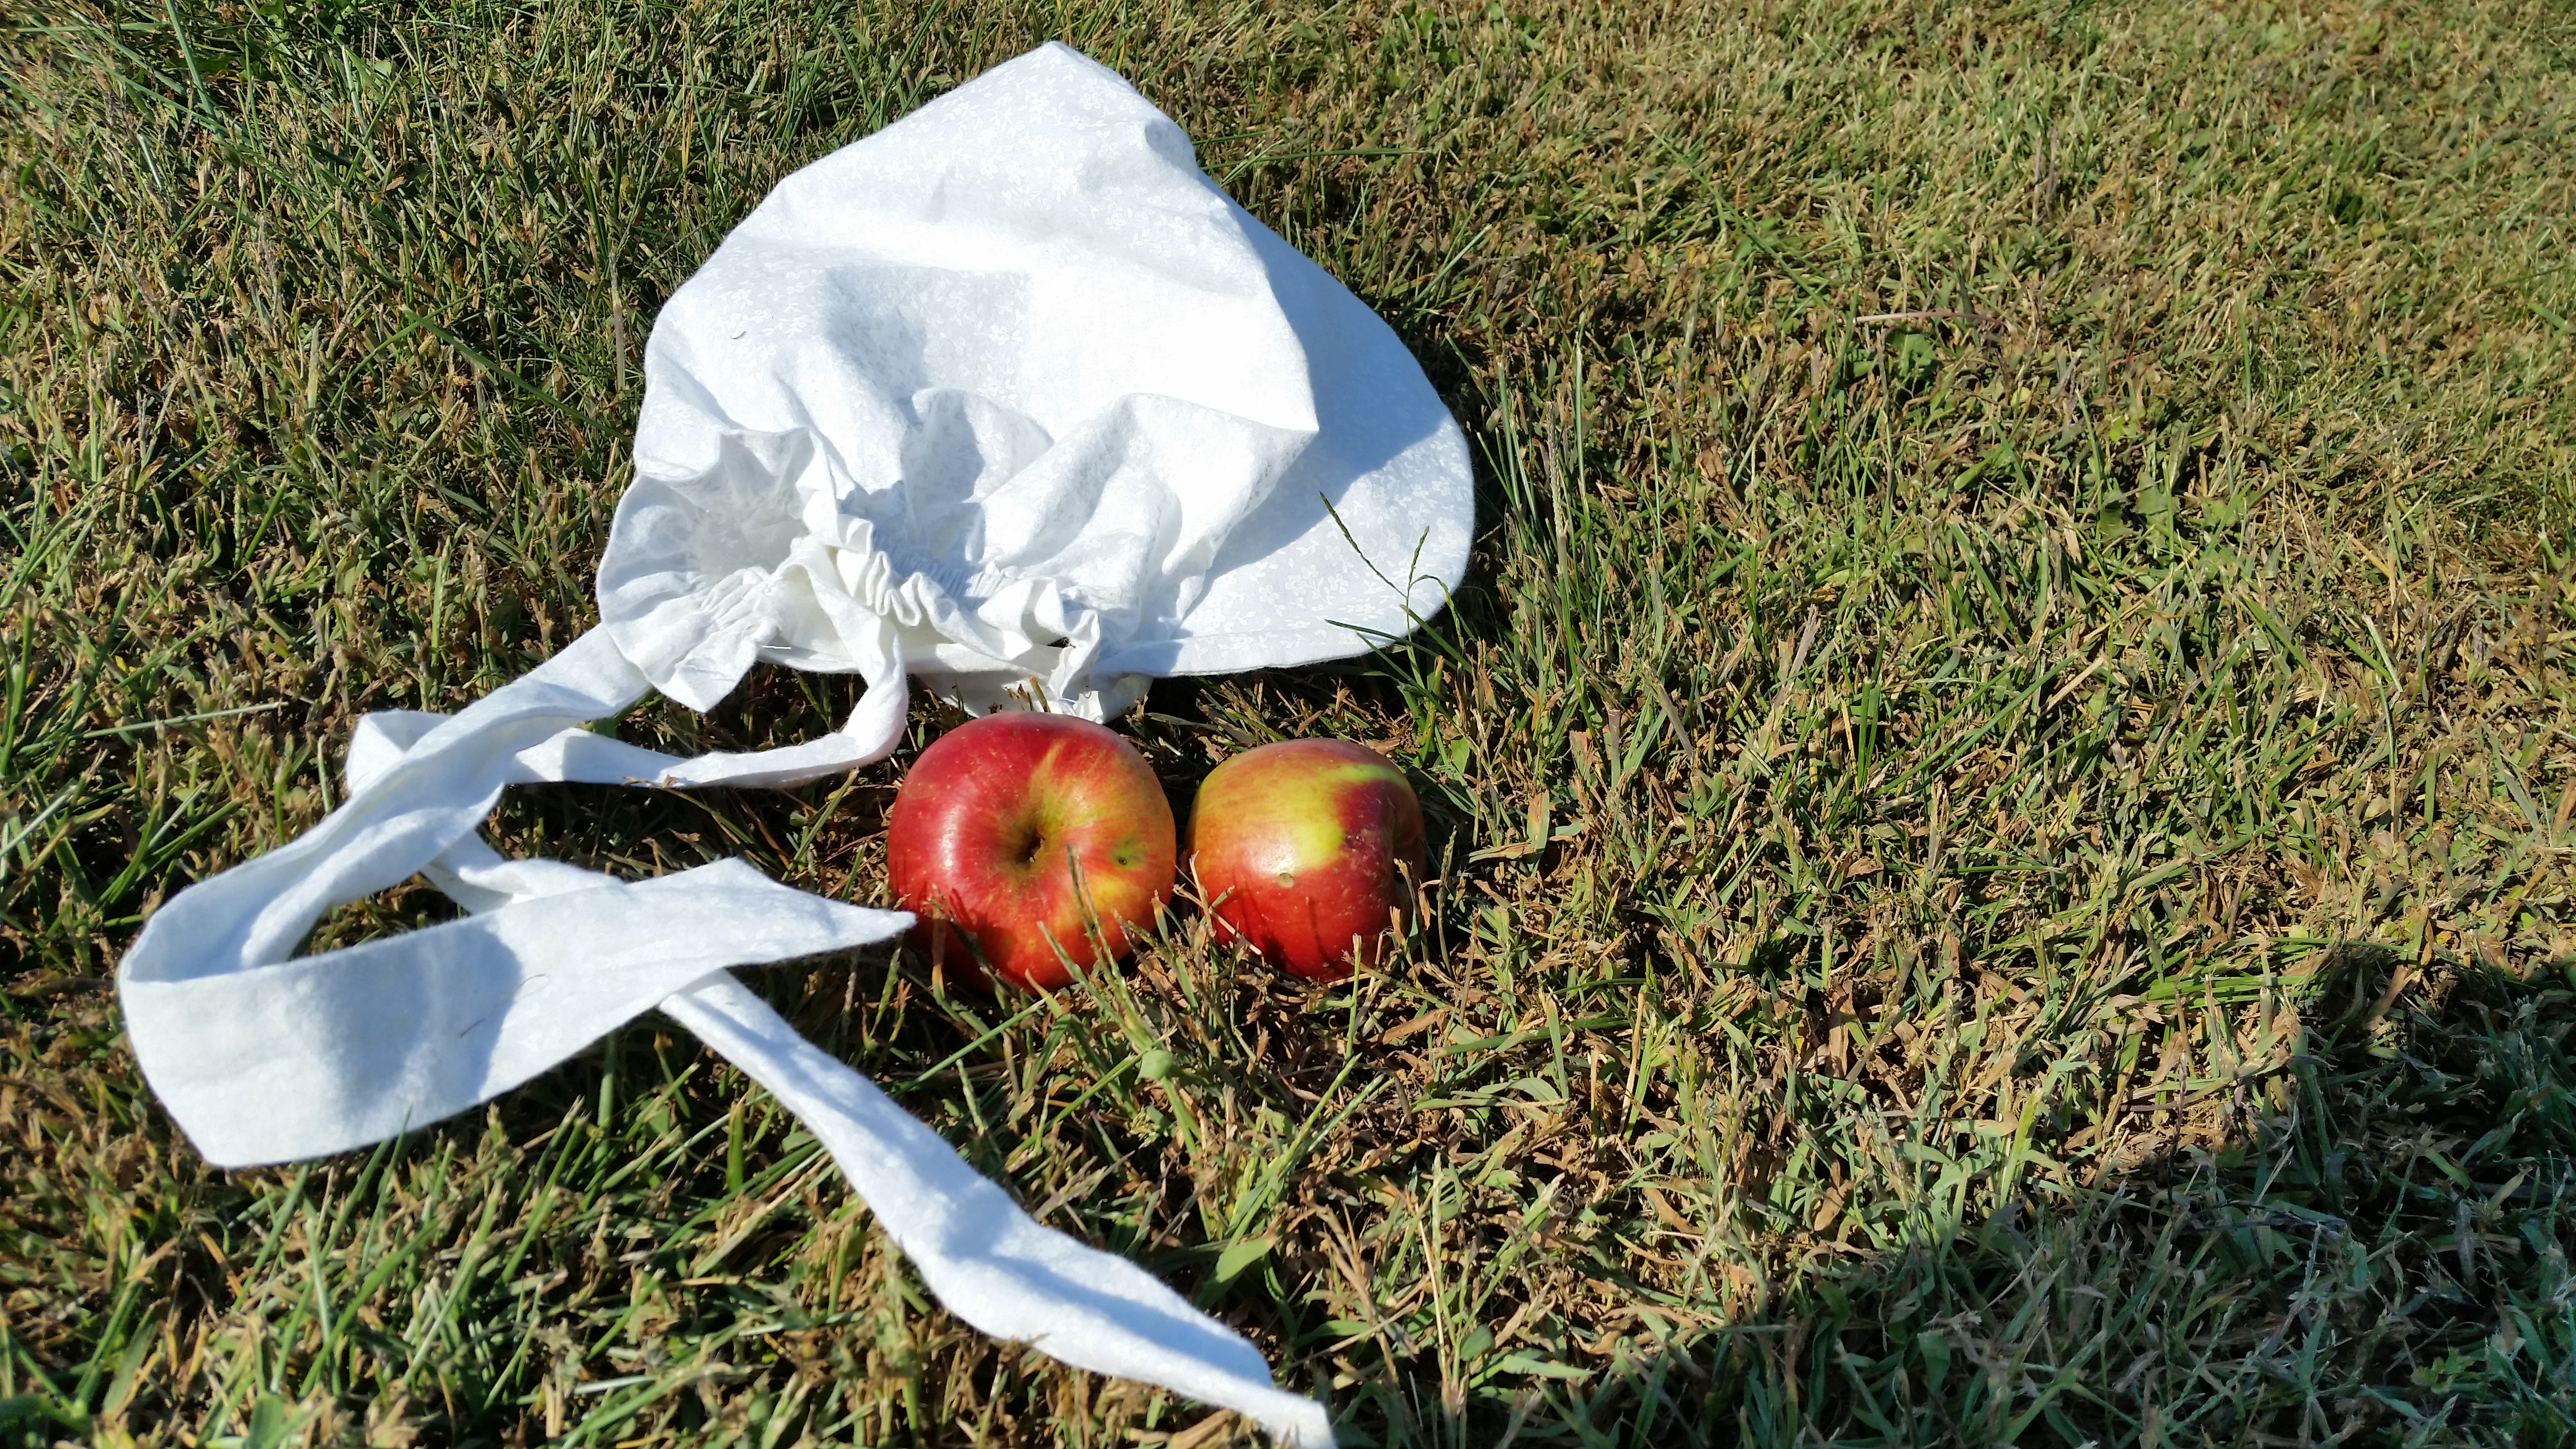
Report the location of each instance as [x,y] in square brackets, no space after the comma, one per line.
[1006,398]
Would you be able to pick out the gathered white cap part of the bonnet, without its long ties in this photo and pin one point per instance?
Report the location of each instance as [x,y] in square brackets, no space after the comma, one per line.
[996,411]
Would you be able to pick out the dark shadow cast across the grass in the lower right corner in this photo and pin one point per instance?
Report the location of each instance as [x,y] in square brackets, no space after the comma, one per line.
[2376,1254]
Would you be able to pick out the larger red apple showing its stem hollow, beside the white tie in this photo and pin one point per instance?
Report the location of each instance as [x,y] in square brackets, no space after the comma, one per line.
[1009,826]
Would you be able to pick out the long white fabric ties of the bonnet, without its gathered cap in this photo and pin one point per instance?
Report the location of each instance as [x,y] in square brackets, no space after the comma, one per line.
[267,1058]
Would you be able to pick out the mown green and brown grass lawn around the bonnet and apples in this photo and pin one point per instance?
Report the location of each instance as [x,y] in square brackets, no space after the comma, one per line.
[2005,780]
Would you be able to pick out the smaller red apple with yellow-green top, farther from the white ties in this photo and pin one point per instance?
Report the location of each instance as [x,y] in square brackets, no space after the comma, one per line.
[1305,850]
